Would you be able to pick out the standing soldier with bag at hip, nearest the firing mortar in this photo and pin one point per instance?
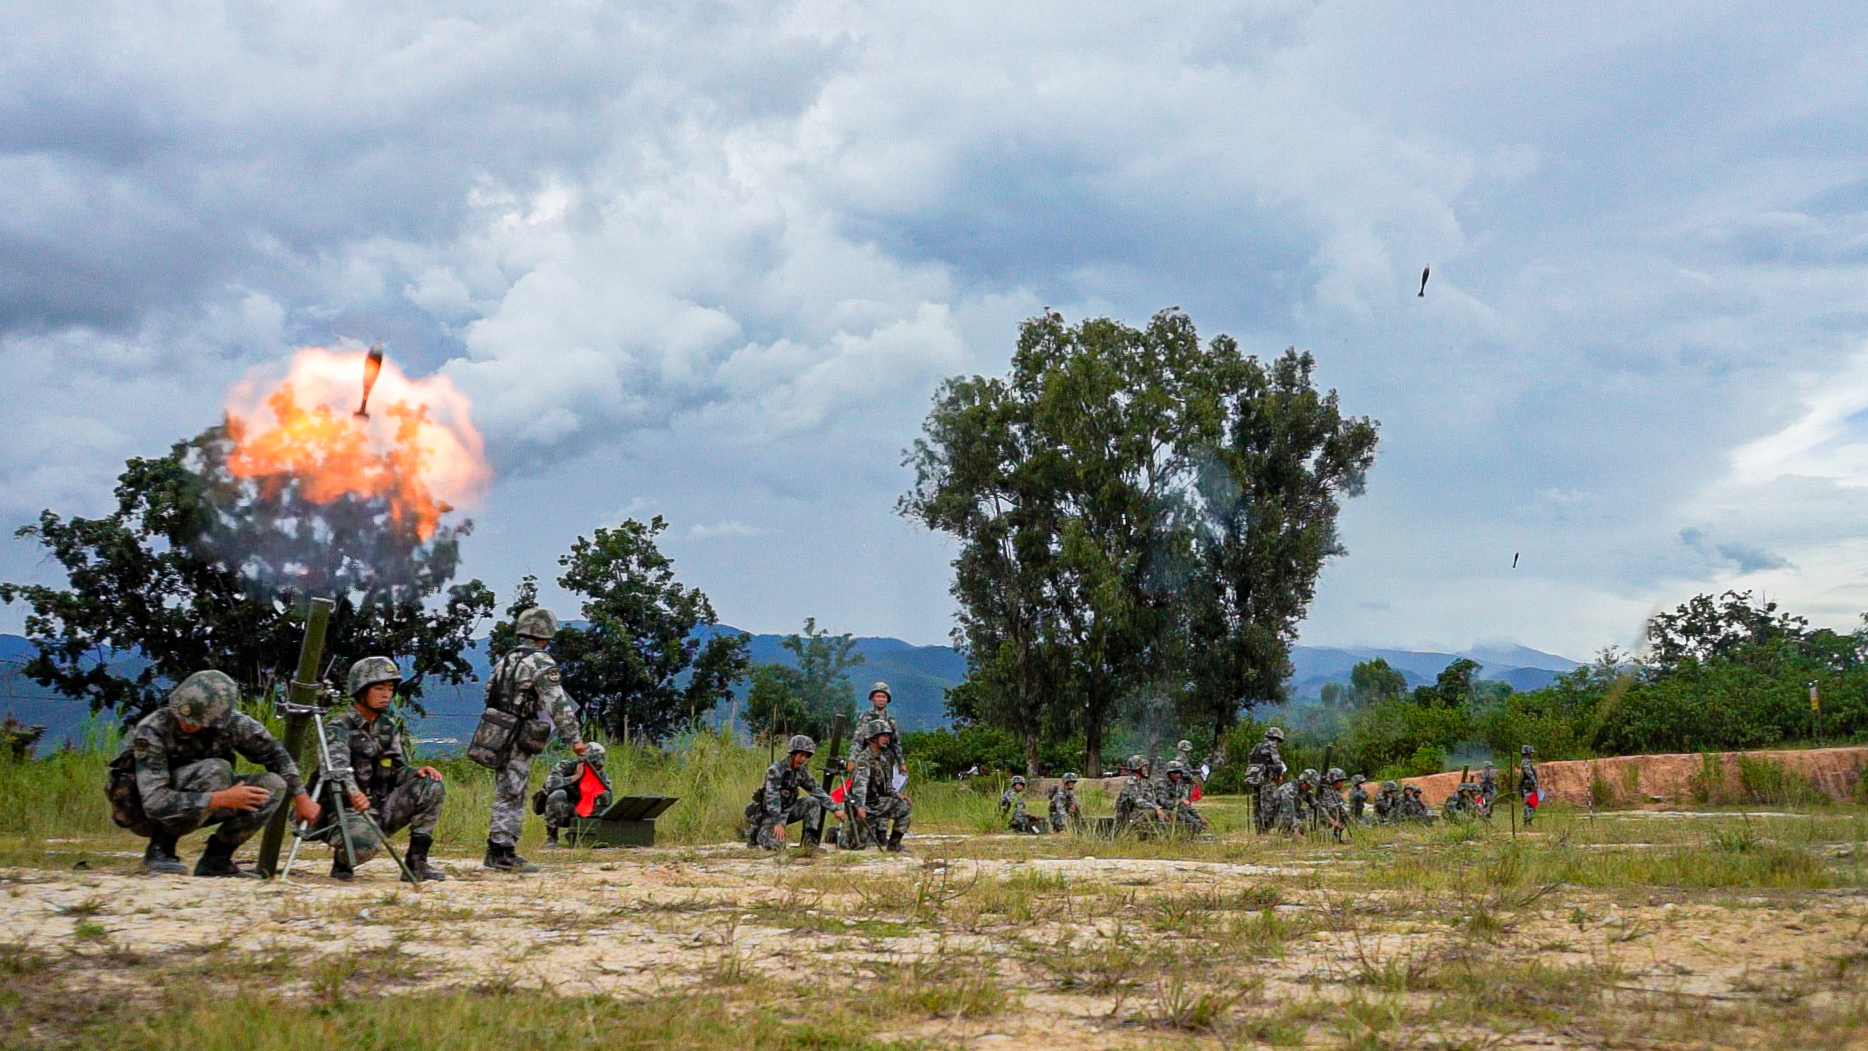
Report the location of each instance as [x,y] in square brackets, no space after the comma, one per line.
[528,694]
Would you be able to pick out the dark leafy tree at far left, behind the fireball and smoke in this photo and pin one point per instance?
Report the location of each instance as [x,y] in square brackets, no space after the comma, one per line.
[201,568]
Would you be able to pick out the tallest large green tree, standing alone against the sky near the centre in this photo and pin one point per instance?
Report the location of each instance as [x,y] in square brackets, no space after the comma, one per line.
[1140,516]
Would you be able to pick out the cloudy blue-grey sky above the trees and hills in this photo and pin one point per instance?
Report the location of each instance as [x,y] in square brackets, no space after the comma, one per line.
[713,260]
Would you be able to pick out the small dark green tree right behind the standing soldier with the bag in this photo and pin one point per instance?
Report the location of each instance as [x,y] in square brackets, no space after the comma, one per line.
[647,660]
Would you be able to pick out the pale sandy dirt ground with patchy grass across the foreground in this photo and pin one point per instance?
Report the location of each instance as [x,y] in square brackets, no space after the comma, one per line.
[1406,938]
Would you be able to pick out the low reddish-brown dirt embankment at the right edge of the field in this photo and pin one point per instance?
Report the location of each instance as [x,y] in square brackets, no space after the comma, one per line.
[1678,779]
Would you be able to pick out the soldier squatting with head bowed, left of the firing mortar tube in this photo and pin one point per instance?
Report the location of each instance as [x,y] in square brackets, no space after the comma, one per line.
[177,776]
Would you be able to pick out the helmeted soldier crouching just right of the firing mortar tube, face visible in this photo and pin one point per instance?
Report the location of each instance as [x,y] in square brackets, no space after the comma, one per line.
[371,766]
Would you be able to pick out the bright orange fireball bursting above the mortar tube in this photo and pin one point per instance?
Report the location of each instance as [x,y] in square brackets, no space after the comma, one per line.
[417,451]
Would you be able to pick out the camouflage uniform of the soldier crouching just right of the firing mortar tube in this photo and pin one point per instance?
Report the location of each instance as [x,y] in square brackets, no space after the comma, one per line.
[371,757]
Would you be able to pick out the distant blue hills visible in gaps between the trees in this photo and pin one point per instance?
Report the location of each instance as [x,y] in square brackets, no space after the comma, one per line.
[918,677]
